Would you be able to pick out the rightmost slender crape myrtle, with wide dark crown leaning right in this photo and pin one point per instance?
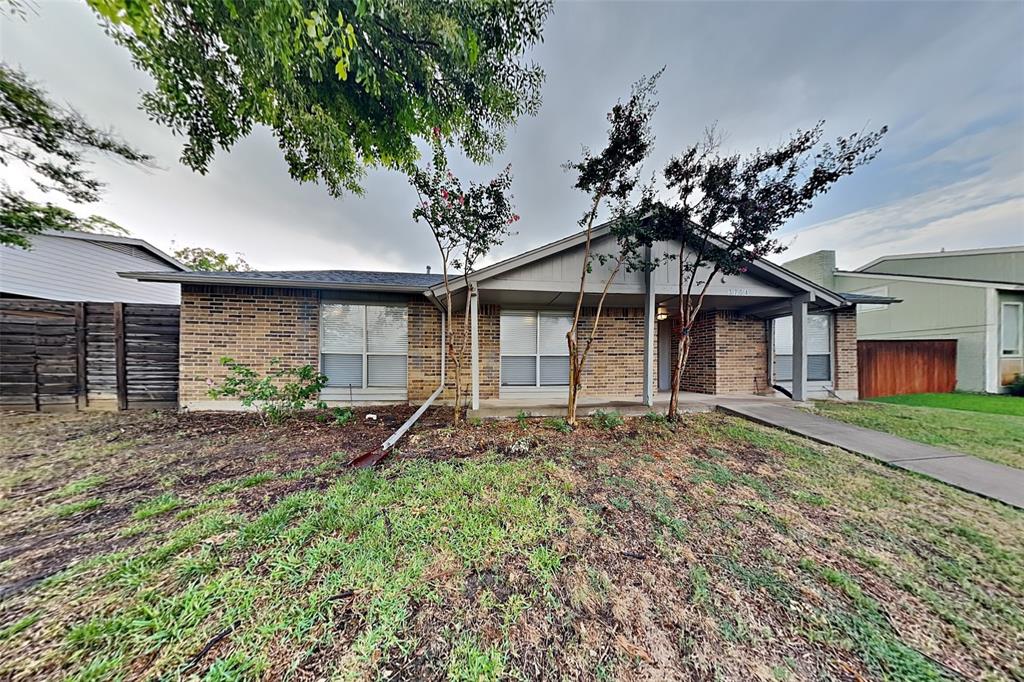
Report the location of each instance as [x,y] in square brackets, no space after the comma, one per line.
[728,209]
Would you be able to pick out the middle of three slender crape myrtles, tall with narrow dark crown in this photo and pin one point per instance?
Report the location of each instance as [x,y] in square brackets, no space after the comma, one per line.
[613,176]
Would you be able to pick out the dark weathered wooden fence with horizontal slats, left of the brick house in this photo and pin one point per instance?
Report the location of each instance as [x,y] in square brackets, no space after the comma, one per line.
[67,356]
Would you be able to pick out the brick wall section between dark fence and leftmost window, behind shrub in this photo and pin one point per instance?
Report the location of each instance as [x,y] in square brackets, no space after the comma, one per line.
[249,325]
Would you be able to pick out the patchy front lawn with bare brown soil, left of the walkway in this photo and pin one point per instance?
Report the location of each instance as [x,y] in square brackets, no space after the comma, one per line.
[204,546]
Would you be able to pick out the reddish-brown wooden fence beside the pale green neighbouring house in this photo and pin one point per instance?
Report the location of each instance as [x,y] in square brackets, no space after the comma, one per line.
[894,368]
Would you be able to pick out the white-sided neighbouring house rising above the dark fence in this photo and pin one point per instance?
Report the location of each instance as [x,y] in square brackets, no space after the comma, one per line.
[81,267]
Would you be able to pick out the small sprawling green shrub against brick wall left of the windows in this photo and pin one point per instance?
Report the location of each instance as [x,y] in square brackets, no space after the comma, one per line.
[274,398]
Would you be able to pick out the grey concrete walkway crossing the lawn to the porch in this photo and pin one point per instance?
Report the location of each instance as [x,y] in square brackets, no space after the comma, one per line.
[969,474]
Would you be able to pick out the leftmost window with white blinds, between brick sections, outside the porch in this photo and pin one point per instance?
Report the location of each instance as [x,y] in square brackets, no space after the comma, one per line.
[364,347]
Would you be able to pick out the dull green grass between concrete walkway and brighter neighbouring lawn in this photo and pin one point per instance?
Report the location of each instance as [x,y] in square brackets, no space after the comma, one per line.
[992,437]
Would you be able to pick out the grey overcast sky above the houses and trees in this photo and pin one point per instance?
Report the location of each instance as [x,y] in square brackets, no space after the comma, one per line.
[947,78]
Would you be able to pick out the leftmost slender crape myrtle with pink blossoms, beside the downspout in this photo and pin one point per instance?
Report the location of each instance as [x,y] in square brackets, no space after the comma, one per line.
[467,223]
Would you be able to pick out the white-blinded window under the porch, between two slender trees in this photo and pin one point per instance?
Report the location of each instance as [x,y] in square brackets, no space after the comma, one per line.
[534,350]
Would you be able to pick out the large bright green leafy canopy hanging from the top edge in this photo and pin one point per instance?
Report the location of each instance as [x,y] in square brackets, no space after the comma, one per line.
[344,84]
